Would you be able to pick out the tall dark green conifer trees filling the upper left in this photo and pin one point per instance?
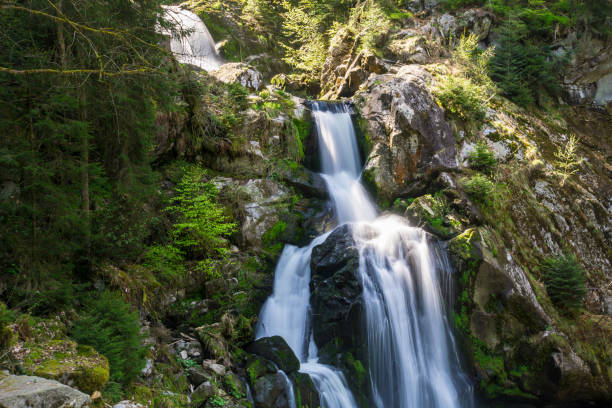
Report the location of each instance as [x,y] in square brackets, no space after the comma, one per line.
[77,145]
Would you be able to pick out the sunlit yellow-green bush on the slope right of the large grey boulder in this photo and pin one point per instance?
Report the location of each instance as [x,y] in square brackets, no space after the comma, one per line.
[463,98]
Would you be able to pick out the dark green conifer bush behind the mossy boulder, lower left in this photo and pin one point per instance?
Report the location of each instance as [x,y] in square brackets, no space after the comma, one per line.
[108,324]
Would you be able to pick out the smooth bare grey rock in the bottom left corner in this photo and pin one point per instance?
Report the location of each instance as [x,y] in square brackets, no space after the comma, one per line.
[35,392]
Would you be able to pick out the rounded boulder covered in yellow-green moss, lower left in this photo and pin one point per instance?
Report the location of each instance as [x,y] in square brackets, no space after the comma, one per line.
[71,364]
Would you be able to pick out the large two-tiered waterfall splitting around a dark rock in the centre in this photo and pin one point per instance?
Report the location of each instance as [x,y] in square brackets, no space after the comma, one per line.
[410,355]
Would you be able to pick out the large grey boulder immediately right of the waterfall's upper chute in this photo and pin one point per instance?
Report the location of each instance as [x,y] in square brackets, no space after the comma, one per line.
[411,138]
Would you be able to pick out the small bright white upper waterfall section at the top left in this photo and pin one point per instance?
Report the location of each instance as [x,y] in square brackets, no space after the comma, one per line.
[190,42]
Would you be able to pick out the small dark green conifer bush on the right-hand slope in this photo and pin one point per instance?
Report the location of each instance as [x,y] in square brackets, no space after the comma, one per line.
[565,282]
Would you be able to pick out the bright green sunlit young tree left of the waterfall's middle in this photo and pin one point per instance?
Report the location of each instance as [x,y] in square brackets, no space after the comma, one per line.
[201,224]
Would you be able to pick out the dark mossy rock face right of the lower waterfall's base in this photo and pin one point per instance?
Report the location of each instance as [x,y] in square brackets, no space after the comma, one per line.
[516,350]
